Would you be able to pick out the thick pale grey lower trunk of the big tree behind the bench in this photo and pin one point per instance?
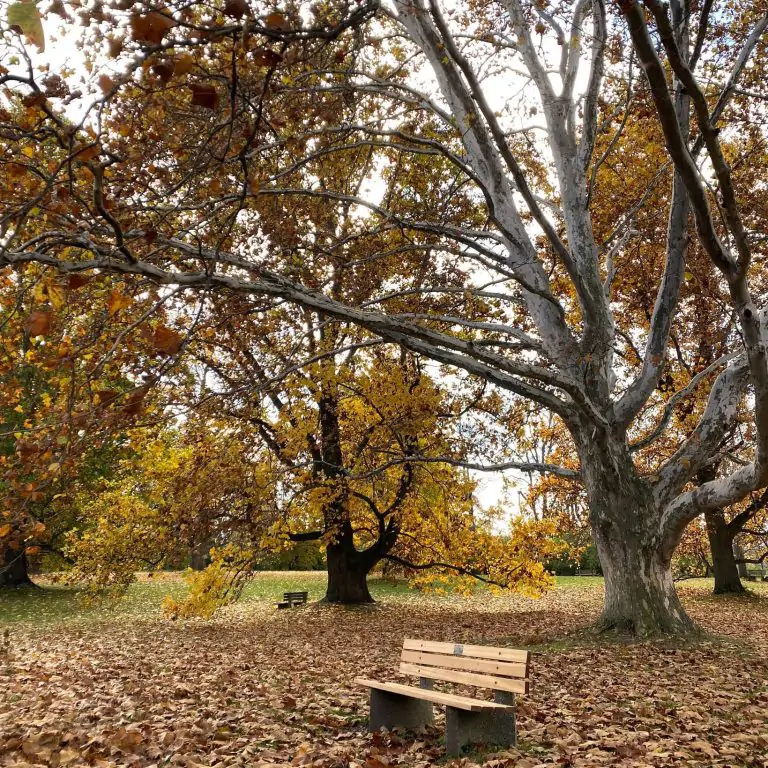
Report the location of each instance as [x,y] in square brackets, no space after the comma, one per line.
[635,554]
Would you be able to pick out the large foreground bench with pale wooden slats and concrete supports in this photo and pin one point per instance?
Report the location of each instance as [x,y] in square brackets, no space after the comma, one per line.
[467,719]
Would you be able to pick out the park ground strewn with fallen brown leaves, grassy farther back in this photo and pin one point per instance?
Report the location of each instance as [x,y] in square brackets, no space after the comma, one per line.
[260,687]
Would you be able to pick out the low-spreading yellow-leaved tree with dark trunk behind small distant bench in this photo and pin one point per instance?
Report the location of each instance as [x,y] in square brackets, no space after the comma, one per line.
[252,487]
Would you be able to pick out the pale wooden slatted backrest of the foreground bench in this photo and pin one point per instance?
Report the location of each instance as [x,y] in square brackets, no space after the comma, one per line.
[500,669]
